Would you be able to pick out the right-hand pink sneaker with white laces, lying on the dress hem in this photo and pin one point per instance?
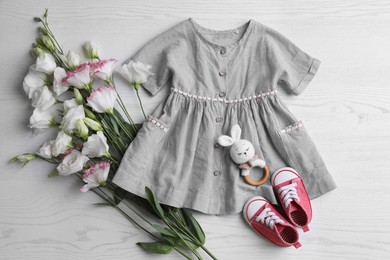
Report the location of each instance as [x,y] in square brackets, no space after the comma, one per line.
[293,198]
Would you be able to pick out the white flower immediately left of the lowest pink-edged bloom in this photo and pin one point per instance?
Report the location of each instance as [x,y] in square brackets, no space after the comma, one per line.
[72,163]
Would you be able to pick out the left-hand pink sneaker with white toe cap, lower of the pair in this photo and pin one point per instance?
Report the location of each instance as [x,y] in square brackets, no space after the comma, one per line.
[264,218]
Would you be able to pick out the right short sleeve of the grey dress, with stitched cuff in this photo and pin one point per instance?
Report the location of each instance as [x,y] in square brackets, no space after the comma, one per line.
[293,67]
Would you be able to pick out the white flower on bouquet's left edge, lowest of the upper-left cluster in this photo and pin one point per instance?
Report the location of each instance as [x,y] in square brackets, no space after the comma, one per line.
[42,120]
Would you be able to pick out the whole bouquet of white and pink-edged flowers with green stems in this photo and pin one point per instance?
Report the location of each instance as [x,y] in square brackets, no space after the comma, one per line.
[76,95]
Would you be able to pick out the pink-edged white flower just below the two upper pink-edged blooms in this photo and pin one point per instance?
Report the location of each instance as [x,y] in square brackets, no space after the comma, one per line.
[102,100]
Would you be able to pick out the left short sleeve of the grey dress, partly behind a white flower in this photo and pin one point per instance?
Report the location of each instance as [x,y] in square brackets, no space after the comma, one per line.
[156,53]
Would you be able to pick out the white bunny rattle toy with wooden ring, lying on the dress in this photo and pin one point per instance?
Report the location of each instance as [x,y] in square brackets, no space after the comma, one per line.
[243,153]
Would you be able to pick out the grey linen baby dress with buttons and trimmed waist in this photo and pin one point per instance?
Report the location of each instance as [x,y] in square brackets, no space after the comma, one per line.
[219,78]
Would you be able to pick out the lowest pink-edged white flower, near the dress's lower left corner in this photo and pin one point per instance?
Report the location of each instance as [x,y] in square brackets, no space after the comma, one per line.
[96,175]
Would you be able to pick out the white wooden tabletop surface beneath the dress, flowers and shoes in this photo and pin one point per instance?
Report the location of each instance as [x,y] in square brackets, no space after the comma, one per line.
[345,109]
